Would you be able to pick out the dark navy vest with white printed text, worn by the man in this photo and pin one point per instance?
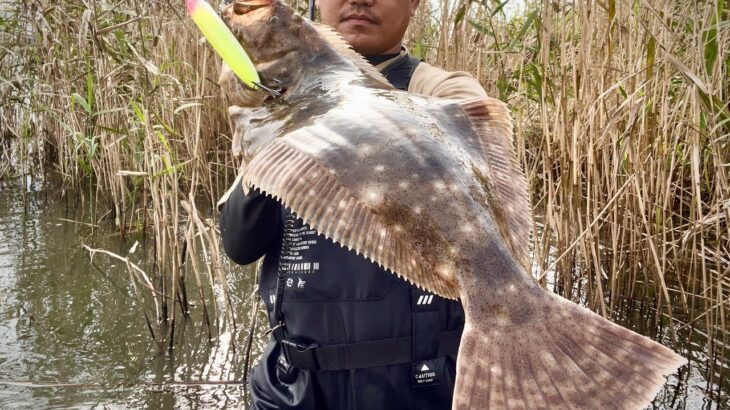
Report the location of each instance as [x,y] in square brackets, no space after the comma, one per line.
[346,333]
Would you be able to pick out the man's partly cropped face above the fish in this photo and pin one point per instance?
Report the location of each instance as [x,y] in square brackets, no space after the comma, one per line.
[370,26]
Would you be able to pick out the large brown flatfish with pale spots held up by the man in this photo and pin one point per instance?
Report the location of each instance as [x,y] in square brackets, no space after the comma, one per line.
[431,191]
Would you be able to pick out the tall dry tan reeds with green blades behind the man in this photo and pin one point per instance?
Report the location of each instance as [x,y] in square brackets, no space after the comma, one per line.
[621,115]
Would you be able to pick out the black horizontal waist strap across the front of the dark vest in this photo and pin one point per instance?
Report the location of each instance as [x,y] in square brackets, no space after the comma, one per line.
[360,355]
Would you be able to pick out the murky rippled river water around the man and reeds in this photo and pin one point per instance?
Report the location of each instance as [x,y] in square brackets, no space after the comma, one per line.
[72,334]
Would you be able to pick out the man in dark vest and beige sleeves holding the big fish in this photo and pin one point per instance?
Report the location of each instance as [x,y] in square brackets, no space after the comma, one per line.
[346,334]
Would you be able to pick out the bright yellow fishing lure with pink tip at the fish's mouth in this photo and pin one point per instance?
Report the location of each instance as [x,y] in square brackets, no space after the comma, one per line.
[223,41]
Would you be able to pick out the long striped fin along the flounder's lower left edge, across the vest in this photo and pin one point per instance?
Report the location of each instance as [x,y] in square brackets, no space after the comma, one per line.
[315,194]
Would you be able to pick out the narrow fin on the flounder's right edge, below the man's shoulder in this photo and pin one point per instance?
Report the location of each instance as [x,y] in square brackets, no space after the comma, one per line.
[507,190]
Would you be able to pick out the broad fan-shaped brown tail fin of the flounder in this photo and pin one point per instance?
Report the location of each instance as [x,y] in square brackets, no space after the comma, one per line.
[575,359]
